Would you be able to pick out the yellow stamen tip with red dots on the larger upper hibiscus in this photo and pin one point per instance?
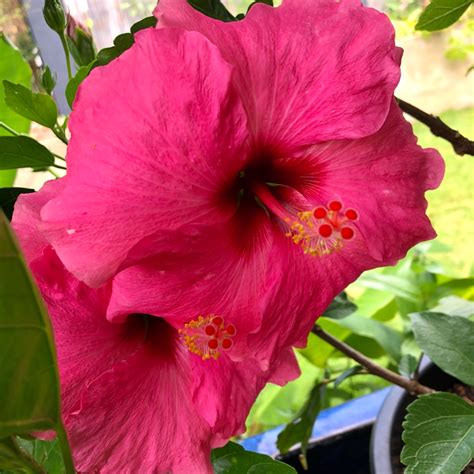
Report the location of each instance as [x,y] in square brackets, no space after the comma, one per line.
[323,230]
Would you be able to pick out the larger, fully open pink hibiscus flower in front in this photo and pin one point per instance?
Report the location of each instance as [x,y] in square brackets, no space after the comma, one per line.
[249,170]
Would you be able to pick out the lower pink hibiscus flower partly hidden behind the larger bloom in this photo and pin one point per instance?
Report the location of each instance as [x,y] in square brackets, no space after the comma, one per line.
[134,398]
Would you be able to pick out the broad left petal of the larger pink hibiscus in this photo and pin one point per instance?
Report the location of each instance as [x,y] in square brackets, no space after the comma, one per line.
[150,132]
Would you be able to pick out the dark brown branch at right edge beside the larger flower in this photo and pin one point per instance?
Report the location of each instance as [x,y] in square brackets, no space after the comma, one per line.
[461,144]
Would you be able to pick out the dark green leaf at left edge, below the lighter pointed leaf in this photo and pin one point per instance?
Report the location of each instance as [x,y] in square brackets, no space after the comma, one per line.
[23,152]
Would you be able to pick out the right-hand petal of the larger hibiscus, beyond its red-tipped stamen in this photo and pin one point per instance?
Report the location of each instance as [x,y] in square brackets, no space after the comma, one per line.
[384,177]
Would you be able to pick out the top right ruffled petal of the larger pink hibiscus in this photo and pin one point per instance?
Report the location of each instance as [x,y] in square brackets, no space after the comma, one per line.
[307,71]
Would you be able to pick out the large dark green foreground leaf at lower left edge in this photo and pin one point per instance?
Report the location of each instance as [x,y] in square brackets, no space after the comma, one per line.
[29,380]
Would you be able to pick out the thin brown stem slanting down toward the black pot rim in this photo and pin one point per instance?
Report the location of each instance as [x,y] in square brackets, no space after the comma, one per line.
[412,386]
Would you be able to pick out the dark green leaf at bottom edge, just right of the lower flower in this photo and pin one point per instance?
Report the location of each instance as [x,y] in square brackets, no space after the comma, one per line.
[233,459]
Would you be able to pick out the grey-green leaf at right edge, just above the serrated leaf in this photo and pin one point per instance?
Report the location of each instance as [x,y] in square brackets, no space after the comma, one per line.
[448,341]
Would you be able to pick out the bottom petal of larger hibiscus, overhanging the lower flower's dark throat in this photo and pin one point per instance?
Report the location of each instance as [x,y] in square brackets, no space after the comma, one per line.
[222,270]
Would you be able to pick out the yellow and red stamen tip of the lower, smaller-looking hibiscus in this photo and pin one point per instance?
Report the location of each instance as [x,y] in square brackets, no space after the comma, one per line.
[207,336]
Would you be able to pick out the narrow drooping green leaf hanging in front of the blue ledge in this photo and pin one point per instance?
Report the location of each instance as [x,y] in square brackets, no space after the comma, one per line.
[299,430]
